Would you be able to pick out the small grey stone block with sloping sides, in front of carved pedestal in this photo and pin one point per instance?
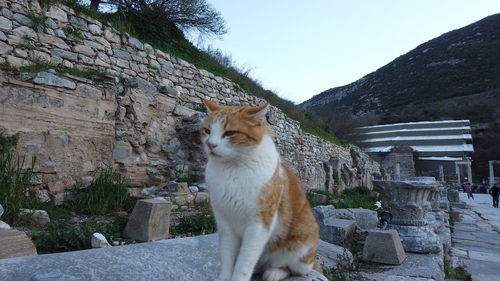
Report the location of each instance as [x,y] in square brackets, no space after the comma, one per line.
[384,246]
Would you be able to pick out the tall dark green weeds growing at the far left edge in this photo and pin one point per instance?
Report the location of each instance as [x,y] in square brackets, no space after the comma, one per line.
[15,183]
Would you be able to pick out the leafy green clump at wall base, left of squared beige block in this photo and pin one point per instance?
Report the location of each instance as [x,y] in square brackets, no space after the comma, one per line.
[106,193]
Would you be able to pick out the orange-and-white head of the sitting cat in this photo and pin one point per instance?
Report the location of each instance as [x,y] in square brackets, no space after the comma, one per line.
[230,131]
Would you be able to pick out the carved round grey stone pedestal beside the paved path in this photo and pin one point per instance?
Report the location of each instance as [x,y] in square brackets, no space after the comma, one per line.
[409,201]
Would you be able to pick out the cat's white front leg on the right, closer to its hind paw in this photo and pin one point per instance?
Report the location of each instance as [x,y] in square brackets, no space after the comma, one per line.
[254,241]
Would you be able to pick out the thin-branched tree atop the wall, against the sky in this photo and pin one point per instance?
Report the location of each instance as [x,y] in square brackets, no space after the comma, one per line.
[185,14]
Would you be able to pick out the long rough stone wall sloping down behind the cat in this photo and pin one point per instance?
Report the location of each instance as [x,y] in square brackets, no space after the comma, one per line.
[145,123]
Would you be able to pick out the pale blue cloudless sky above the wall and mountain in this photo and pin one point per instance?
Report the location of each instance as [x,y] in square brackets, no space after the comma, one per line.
[301,48]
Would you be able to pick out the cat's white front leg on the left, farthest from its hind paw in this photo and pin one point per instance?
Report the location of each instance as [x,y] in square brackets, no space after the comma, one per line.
[228,248]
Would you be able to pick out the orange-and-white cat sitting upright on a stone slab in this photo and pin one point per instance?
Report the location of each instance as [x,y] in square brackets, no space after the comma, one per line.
[264,221]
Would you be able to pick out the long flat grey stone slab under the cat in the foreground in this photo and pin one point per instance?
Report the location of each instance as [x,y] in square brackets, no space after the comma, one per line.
[193,258]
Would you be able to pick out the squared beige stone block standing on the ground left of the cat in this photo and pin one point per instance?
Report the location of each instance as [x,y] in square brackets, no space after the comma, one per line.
[149,221]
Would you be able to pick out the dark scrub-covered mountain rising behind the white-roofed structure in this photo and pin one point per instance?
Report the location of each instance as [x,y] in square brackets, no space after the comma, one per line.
[454,76]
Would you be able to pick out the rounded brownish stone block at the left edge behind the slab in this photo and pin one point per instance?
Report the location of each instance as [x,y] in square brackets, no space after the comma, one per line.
[15,243]
